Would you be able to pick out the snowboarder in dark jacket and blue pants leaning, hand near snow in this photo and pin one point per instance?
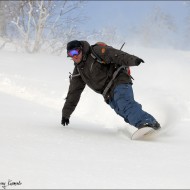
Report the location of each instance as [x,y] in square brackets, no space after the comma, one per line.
[105,70]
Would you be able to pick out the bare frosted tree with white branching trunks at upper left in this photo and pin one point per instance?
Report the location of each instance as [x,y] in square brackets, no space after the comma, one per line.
[44,24]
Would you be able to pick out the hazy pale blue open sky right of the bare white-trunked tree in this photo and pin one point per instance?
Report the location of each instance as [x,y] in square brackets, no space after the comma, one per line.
[122,13]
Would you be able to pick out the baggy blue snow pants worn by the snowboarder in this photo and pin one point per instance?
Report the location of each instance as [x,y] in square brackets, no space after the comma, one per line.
[124,105]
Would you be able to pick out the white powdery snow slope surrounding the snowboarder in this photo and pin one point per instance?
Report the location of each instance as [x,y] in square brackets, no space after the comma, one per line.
[95,150]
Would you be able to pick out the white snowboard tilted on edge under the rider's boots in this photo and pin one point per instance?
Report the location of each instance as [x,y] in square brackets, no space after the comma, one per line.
[142,133]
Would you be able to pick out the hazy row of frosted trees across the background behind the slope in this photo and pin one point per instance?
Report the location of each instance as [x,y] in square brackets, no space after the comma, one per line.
[48,25]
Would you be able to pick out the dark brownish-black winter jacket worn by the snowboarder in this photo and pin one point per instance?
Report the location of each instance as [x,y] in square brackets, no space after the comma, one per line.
[97,75]
